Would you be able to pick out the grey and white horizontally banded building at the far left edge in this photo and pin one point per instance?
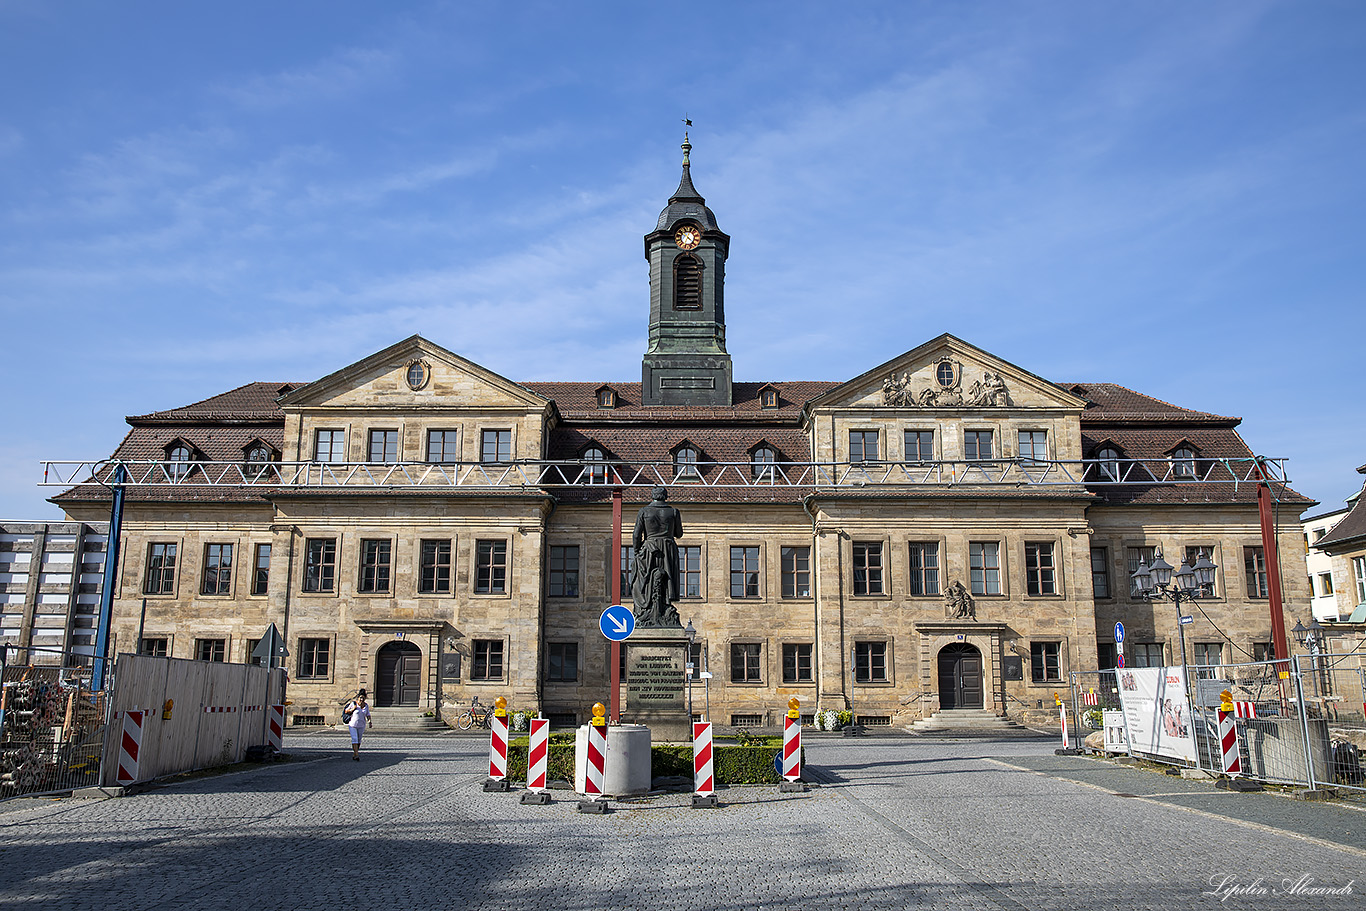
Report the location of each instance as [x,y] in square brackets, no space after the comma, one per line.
[51,576]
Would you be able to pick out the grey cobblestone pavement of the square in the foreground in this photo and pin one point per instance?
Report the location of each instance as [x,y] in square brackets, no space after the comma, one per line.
[895,823]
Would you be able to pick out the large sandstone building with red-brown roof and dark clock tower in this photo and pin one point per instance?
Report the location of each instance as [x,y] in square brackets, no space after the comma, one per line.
[416,522]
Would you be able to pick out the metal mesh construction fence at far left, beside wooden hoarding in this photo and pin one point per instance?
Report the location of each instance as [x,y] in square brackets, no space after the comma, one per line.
[51,725]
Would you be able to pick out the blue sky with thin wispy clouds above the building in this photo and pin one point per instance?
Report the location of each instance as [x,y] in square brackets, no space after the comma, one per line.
[1167,196]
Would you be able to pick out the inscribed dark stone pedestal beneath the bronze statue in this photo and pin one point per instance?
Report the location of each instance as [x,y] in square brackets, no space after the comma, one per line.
[656,675]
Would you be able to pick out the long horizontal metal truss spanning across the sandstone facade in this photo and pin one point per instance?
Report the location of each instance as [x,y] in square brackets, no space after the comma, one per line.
[996,473]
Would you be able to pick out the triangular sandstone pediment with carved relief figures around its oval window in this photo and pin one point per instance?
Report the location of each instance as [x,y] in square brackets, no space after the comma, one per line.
[949,374]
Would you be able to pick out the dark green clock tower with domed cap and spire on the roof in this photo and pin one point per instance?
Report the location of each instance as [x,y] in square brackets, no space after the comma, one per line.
[686,361]
